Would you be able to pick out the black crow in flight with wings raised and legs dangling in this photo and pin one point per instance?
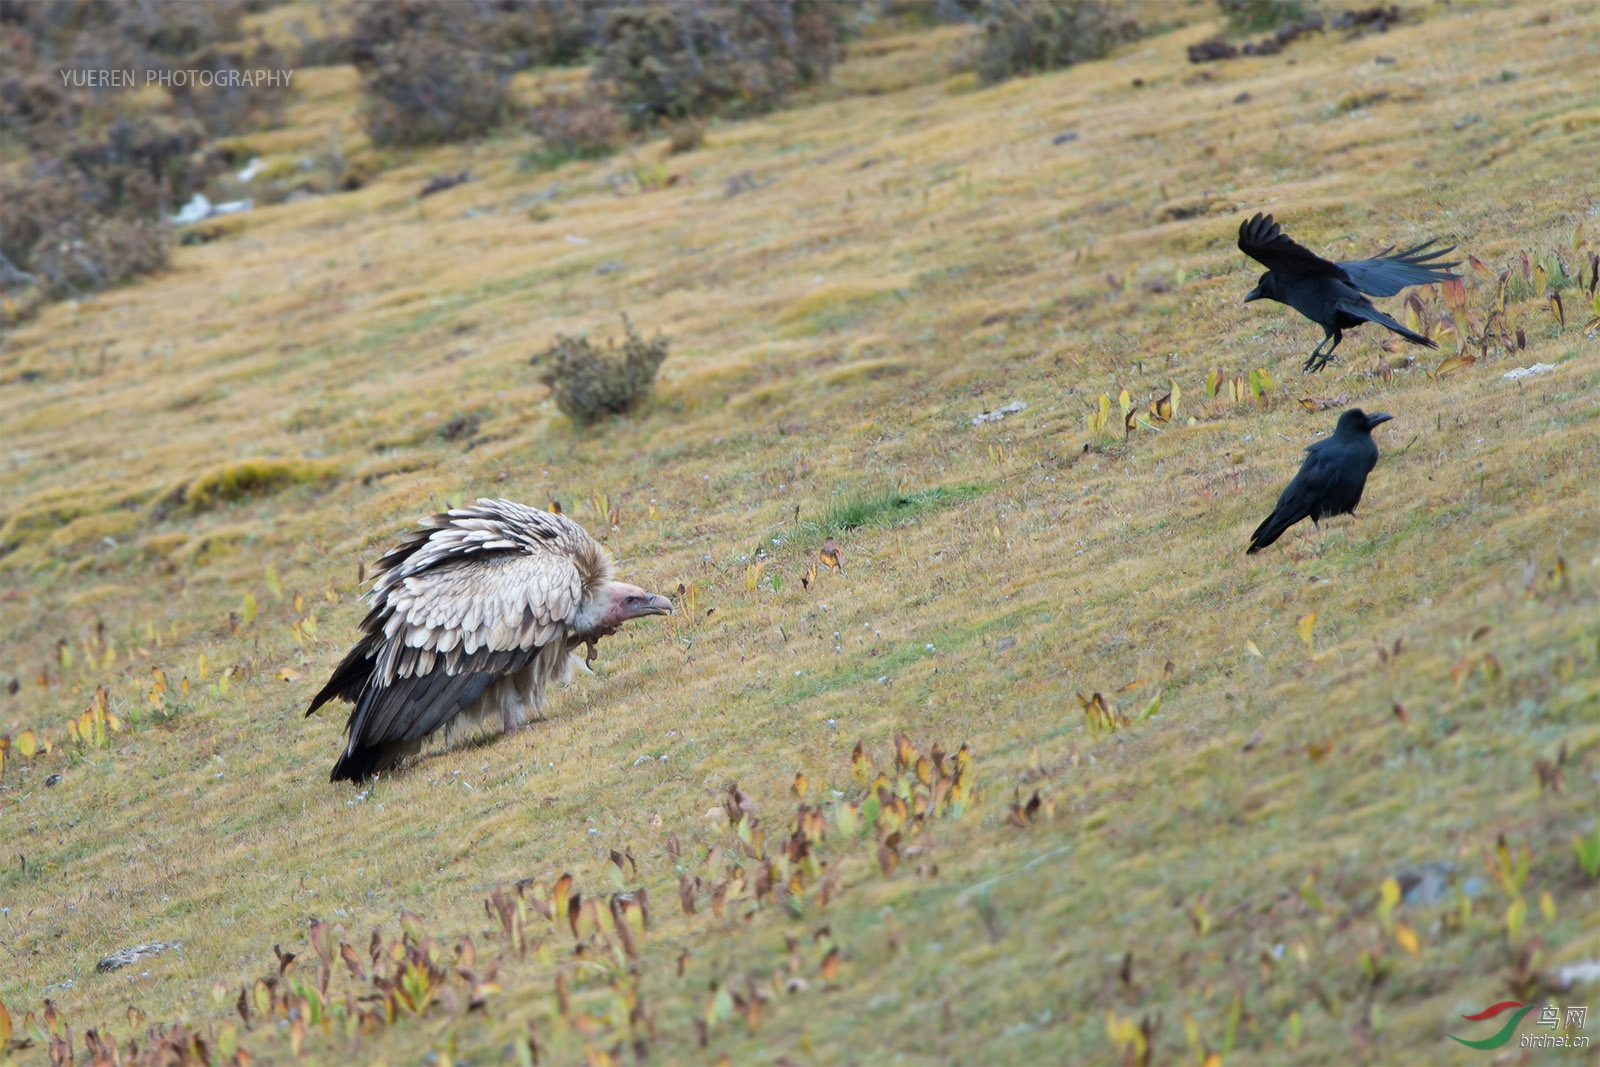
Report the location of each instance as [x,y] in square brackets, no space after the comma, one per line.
[1330,294]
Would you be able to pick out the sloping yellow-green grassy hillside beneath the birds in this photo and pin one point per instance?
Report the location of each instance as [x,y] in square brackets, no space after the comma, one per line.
[199,465]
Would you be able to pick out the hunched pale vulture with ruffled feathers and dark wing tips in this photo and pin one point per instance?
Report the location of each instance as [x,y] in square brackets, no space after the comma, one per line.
[473,618]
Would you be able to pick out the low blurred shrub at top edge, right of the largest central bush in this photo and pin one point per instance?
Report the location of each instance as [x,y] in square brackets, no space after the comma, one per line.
[1034,36]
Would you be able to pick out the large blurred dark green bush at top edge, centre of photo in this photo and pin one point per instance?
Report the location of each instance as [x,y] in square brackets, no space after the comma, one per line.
[671,62]
